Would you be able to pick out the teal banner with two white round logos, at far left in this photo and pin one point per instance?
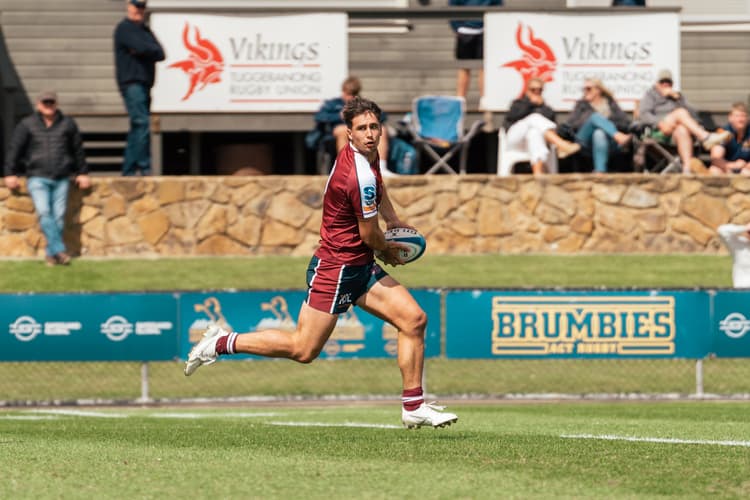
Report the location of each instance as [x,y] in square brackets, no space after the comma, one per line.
[83,327]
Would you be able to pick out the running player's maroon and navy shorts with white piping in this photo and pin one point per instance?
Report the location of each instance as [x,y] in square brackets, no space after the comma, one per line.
[333,288]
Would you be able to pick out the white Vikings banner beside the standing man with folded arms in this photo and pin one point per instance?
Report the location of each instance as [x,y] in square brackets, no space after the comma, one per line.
[241,64]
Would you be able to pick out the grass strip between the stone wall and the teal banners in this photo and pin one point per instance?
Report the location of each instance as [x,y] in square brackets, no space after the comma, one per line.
[519,271]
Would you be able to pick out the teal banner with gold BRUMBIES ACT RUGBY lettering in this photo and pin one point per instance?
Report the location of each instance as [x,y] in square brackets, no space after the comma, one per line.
[580,324]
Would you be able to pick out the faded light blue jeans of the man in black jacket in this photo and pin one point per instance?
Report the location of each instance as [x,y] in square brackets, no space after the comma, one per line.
[50,197]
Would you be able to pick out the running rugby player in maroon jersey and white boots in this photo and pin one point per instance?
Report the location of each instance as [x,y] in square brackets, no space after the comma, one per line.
[343,272]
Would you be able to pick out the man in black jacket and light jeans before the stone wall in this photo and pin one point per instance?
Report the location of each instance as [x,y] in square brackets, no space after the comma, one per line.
[49,145]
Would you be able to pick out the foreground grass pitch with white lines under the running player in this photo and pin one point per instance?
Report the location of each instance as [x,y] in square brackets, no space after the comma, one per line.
[571,450]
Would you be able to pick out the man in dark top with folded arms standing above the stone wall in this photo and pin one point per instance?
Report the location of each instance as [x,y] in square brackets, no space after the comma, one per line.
[136,53]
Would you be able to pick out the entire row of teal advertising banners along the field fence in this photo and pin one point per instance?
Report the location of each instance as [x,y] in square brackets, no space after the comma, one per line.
[489,324]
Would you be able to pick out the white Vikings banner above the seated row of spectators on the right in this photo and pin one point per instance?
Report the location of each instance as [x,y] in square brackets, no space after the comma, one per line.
[623,50]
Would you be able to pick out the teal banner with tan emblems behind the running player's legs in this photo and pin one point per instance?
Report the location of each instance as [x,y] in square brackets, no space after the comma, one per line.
[357,333]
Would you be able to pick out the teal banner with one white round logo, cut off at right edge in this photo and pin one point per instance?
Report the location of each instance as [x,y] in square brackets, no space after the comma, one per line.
[731,322]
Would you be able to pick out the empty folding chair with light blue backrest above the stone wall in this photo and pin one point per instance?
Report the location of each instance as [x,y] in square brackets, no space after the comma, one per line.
[437,128]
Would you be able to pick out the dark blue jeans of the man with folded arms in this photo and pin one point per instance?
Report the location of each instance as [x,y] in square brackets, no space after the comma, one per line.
[138,149]
